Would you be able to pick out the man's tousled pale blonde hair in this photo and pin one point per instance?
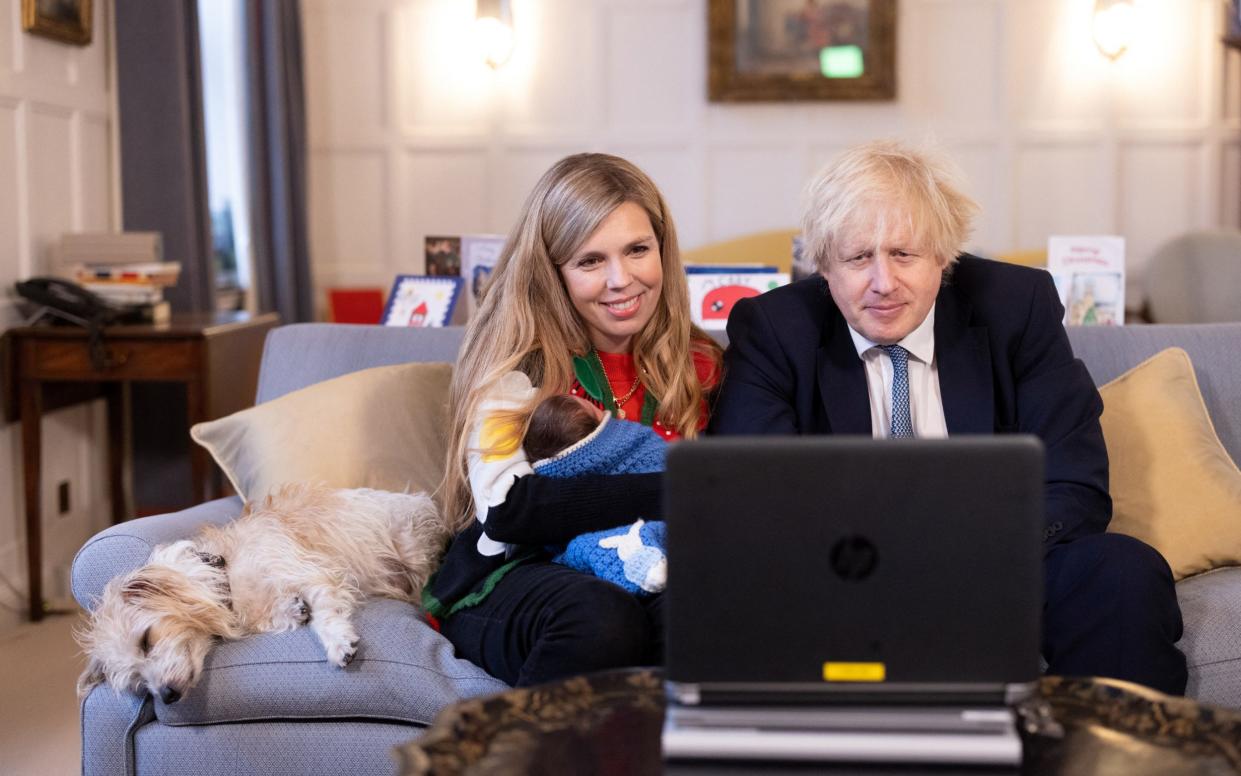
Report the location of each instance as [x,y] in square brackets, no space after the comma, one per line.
[878,182]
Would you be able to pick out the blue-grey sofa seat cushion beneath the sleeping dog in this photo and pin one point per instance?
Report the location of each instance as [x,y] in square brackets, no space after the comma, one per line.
[404,672]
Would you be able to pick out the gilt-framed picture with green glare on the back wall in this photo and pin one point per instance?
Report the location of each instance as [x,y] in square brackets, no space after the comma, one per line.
[781,50]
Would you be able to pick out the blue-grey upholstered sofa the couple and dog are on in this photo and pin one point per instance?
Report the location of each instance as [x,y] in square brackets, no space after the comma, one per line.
[271,705]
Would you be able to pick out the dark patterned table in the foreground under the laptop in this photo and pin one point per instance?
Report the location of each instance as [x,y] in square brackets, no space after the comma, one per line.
[611,723]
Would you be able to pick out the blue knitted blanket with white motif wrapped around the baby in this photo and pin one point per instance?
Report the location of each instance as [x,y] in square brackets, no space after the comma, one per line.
[629,556]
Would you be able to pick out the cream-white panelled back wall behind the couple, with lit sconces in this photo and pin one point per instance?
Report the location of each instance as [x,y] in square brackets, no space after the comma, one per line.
[1052,137]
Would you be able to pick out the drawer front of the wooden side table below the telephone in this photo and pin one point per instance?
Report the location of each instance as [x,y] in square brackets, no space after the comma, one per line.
[125,359]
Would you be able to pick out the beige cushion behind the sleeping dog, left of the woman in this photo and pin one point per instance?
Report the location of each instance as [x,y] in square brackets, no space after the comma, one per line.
[383,428]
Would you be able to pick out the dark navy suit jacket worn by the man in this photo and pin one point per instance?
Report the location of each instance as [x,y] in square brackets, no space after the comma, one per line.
[1005,361]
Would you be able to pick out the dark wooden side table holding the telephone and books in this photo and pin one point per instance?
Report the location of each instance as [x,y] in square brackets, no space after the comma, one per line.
[215,356]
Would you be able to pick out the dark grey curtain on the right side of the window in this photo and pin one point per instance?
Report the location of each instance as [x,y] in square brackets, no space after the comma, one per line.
[279,160]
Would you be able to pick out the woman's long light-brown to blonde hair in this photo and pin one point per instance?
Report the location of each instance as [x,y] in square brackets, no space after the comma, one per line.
[528,323]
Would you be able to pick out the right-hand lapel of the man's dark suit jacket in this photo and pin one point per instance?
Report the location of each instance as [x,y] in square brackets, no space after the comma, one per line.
[965,363]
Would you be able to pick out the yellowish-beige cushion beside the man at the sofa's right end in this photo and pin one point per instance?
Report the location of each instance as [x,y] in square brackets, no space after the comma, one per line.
[1173,484]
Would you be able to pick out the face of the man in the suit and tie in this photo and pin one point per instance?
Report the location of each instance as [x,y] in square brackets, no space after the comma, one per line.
[884,291]
